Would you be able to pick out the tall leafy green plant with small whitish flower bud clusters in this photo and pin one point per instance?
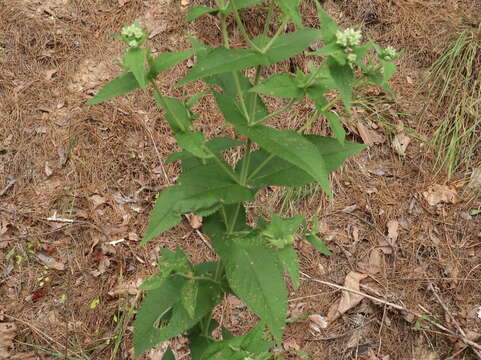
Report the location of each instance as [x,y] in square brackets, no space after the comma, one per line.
[251,260]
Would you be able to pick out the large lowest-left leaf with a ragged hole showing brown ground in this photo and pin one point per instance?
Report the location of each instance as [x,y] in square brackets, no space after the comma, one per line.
[163,305]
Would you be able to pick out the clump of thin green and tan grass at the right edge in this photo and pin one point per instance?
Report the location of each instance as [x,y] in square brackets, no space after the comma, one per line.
[454,83]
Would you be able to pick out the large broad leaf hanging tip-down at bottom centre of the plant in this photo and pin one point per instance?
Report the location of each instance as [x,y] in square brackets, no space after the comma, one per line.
[256,277]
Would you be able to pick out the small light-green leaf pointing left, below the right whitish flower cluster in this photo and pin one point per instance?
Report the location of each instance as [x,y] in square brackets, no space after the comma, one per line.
[280,85]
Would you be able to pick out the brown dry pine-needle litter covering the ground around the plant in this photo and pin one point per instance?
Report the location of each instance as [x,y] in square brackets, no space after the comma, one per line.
[102,166]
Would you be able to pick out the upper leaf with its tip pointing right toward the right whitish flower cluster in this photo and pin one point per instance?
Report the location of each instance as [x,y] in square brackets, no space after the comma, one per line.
[287,45]
